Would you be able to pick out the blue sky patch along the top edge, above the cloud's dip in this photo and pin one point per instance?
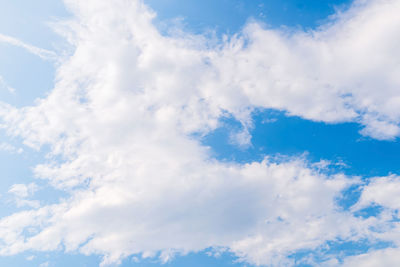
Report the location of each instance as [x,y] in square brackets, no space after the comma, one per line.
[229,16]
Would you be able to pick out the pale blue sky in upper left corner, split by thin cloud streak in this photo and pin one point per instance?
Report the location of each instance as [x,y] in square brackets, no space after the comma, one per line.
[30,23]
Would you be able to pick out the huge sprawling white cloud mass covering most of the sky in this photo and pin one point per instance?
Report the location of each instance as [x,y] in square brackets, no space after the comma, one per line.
[128,102]
